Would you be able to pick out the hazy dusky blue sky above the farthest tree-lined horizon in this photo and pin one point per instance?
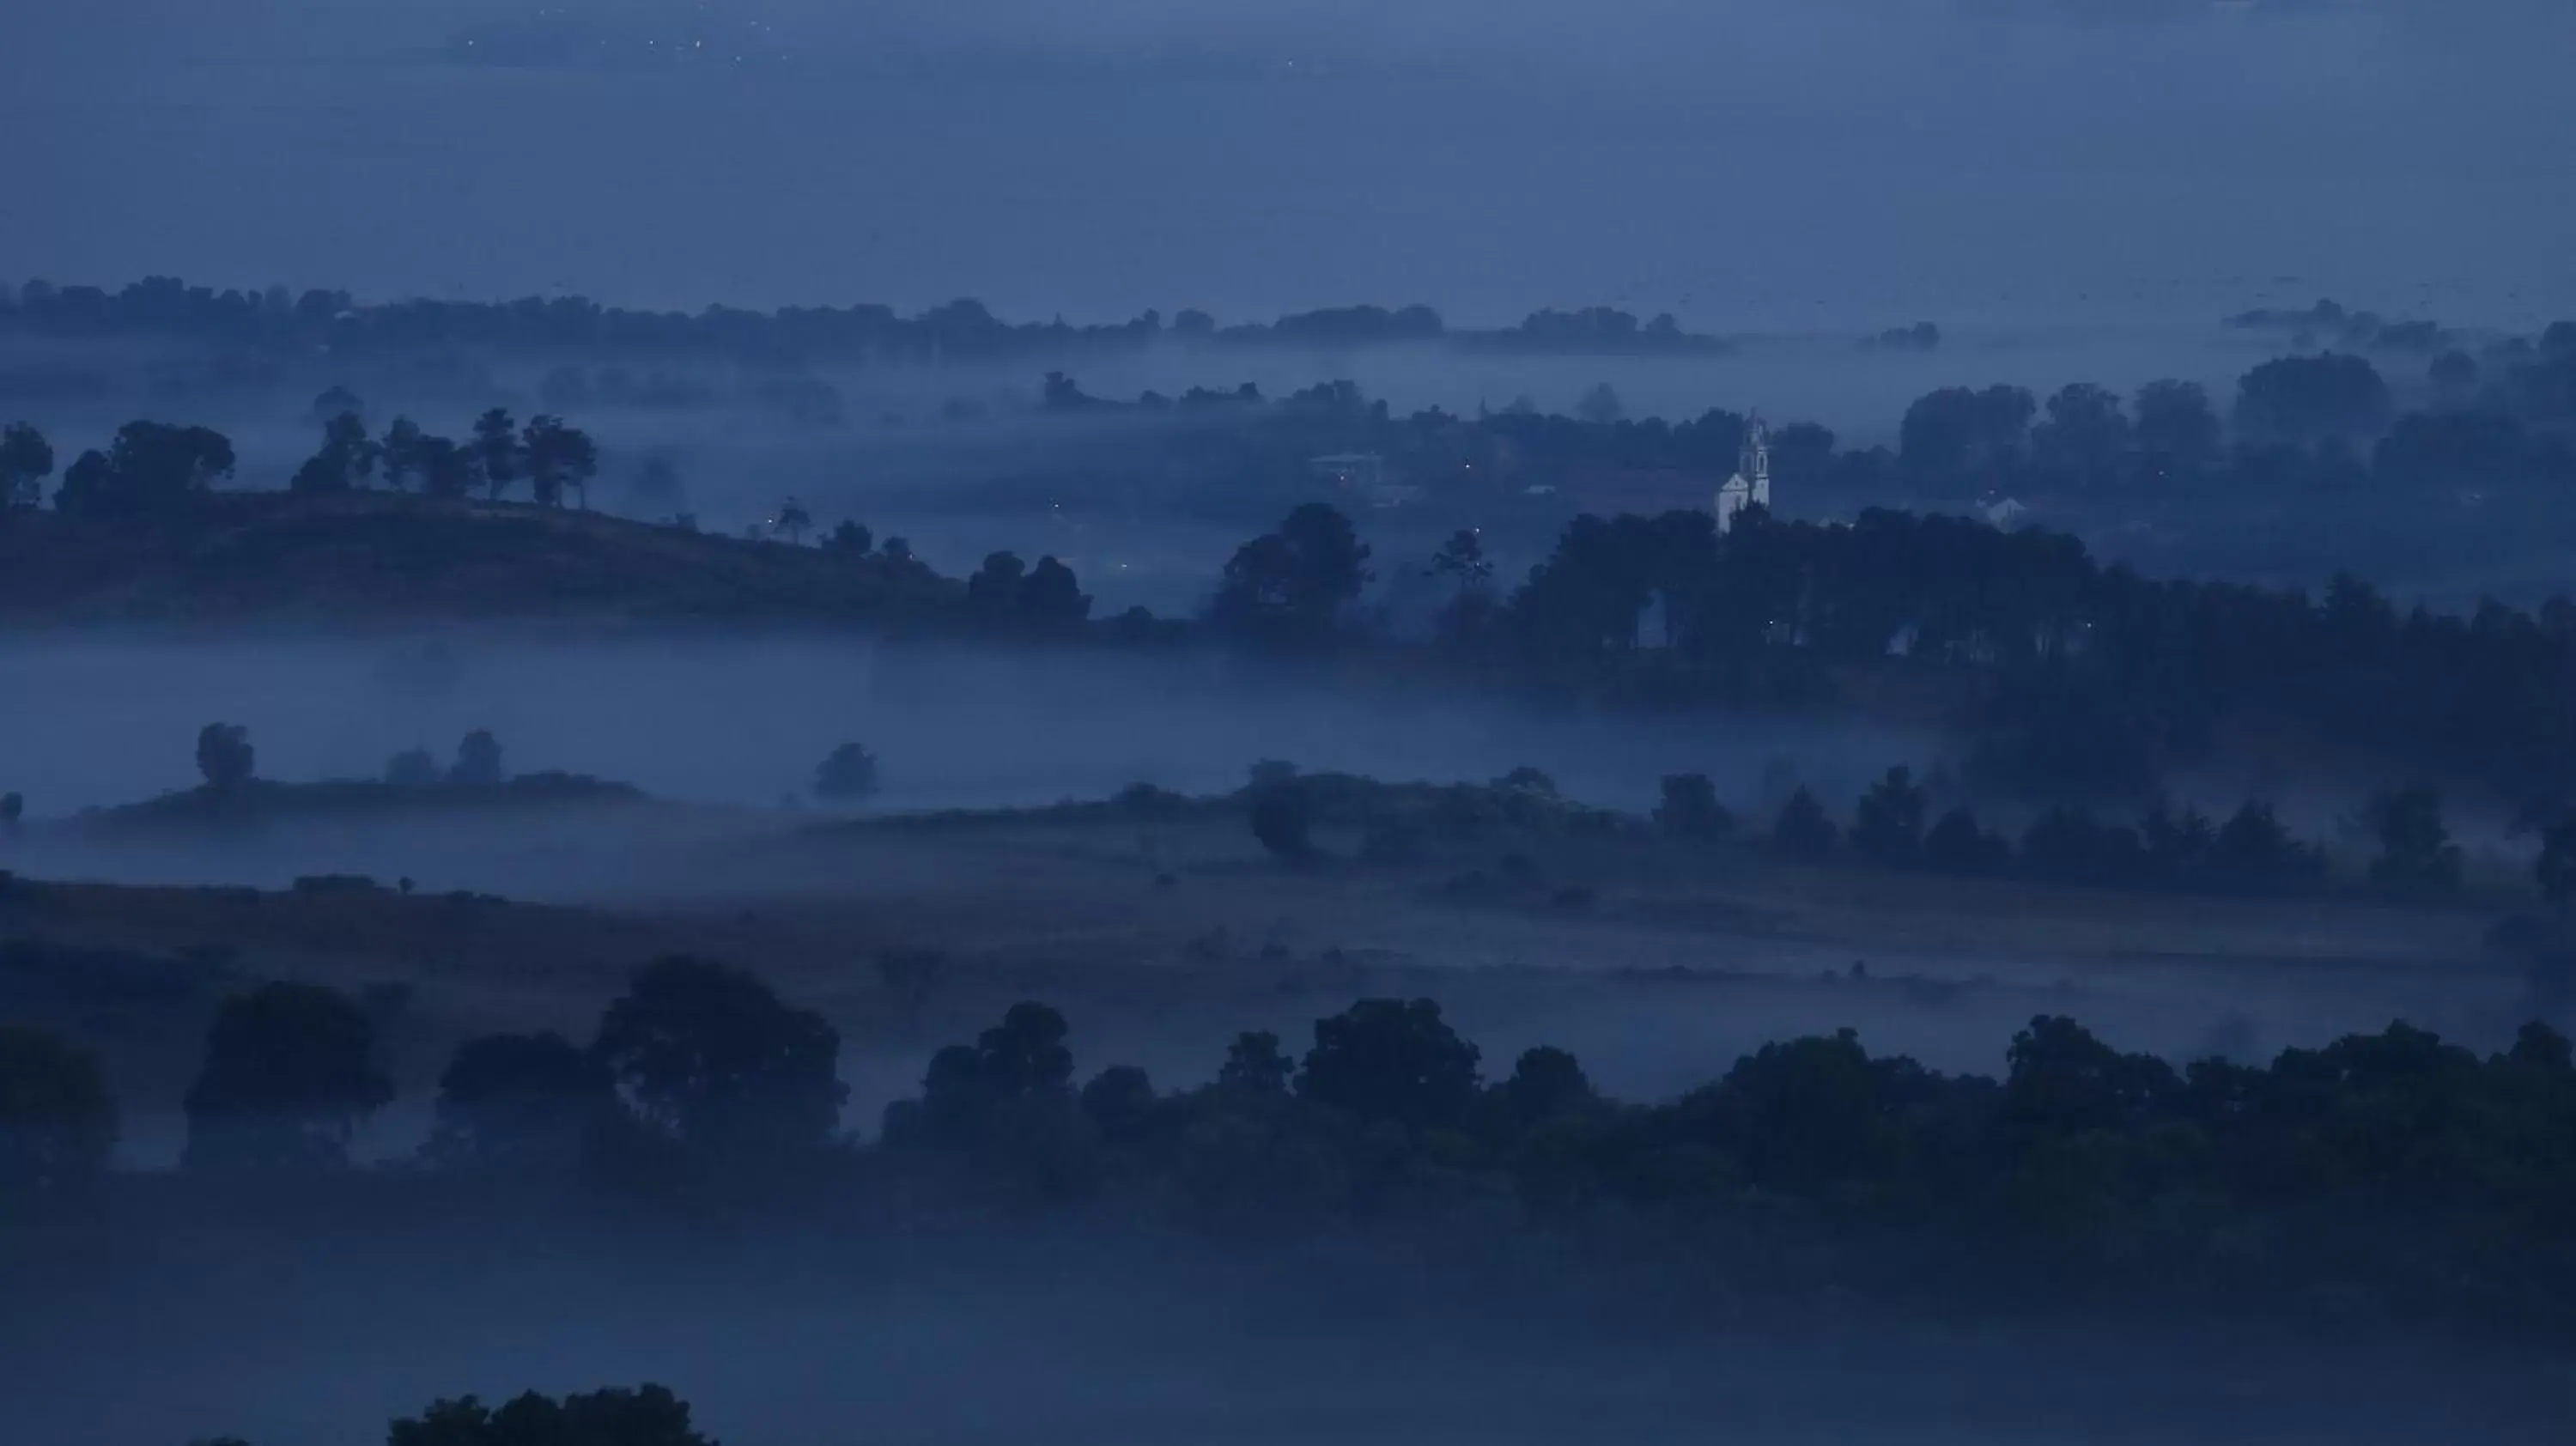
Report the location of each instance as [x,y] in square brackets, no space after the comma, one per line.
[1745,164]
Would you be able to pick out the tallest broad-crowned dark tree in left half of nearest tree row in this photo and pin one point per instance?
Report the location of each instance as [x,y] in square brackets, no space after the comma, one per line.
[715,1061]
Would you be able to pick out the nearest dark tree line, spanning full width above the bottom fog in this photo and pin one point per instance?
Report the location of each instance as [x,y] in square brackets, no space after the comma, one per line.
[2392,1164]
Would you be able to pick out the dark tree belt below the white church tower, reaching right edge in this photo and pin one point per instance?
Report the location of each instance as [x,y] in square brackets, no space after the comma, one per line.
[2078,682]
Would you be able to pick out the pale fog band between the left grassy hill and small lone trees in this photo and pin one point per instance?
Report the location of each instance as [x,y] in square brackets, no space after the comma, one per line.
[746,720]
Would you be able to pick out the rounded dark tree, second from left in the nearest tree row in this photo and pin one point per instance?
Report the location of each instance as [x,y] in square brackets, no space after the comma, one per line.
[287,1081]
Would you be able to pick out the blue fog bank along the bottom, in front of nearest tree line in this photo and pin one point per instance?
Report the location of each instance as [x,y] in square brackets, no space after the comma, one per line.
[988,1339]
